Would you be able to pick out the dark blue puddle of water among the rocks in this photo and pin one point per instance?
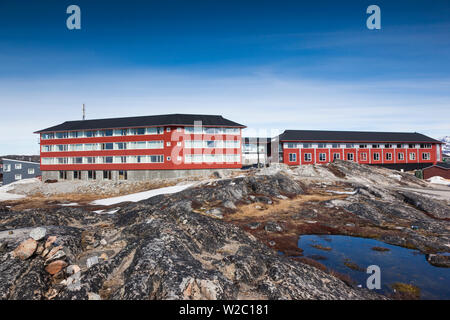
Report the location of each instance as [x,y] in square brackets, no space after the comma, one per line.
[397,265]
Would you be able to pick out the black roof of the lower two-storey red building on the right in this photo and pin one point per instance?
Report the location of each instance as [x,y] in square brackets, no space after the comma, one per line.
[354,136]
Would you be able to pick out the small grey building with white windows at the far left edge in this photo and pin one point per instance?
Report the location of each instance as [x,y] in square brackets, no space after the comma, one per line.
[15,170]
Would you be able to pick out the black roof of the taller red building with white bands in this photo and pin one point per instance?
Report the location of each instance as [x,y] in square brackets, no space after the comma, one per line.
[129,122]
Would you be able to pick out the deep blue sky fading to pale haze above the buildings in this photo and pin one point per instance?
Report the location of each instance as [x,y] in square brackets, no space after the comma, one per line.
[271,65]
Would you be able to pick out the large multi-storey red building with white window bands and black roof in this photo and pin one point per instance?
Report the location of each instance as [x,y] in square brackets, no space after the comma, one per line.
[137,148]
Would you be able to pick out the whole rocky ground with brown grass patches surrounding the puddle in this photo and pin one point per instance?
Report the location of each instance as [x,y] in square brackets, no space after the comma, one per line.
[220,239]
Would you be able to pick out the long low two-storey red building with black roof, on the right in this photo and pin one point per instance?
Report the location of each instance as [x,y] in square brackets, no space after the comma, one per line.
[391,149]
